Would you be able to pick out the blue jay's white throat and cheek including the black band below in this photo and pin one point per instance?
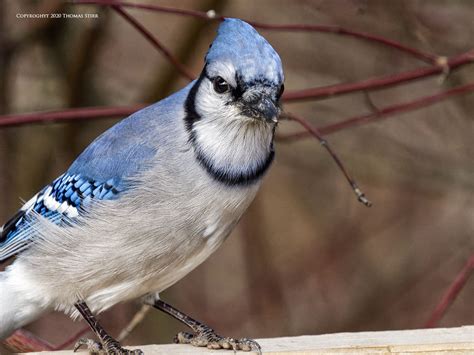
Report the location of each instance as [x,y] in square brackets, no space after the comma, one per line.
[233,148]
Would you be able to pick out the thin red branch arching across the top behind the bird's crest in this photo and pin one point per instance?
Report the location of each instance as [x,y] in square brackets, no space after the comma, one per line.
[426,57]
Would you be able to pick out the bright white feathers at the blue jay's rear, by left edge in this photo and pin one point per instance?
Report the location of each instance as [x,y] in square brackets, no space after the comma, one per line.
[16,309]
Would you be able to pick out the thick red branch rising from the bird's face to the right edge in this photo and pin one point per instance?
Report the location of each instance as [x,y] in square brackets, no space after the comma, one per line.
[381,81]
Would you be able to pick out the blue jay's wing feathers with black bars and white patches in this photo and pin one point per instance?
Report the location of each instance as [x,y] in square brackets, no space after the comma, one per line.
[60,202]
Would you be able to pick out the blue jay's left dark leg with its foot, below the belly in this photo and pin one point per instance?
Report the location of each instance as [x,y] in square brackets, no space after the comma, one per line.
[107,344]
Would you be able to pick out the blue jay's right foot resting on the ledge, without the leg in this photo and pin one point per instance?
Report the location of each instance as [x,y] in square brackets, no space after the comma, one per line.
[206,337]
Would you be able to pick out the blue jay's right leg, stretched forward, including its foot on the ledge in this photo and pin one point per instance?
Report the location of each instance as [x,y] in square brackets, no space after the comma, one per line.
[203,335]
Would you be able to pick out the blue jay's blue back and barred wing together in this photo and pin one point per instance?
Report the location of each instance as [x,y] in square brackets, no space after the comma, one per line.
[103,171]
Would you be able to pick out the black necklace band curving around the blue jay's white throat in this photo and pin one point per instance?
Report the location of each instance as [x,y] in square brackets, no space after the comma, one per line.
[220,174]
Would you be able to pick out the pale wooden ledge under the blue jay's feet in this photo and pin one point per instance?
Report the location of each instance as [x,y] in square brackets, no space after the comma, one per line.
[452,341]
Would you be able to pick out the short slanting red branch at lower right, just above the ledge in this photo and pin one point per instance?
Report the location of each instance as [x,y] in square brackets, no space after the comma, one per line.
[451,293]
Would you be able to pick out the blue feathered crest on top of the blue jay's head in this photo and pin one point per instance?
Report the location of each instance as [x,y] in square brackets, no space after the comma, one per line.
[240,45]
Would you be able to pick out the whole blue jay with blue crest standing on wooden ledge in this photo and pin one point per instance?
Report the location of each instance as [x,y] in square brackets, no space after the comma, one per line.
[150,199]
